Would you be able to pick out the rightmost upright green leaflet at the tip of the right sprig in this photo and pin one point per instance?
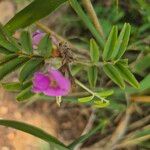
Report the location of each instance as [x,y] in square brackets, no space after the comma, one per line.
[122,42]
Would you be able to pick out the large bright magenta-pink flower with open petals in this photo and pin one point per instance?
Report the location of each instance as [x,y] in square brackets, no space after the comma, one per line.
[51,84]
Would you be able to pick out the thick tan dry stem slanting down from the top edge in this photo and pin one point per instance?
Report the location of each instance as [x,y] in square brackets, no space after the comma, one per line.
[91,12]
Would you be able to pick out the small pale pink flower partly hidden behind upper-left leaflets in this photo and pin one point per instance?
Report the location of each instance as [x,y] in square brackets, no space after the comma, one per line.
[36,37]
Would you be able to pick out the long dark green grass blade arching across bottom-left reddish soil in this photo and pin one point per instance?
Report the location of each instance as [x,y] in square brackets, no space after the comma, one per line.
[37,132]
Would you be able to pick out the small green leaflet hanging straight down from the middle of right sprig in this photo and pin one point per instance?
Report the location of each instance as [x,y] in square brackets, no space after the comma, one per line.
[92,76]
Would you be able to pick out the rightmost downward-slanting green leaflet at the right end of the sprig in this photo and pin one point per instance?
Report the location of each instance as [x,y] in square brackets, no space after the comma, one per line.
[127,75]
